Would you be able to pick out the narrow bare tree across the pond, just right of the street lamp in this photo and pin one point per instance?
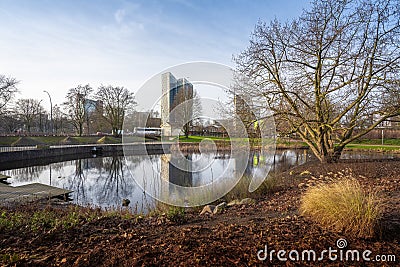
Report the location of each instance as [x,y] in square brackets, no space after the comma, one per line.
[76,106]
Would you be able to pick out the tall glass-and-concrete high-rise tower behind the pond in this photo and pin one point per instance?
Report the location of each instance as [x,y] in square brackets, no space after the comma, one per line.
[172,89]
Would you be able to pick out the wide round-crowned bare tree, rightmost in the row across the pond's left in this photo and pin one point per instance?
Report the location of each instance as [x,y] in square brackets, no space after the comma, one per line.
[117,101]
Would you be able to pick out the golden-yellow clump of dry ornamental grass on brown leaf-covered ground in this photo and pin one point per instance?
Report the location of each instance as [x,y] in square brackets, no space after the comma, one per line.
[343,205]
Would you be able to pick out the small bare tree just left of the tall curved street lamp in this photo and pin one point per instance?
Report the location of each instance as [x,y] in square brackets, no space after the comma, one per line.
[28,111]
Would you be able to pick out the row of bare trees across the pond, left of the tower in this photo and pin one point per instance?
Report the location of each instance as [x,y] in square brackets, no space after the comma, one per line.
[84,111]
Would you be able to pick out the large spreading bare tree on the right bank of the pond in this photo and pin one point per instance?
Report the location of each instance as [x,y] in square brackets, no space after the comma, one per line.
[326,73]
